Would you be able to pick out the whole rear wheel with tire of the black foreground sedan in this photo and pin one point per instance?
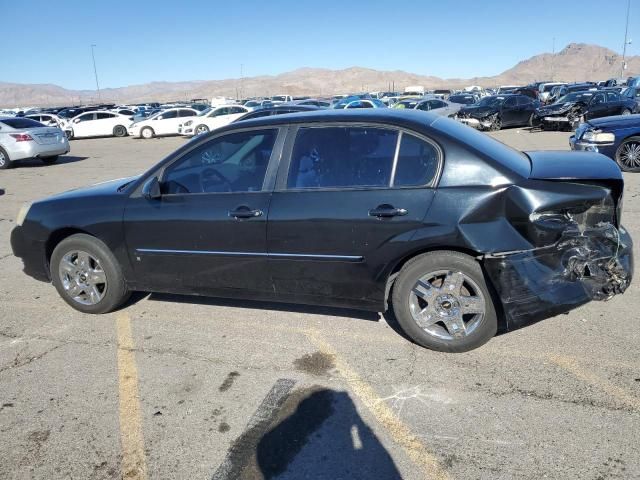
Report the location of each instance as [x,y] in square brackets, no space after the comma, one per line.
[445,304]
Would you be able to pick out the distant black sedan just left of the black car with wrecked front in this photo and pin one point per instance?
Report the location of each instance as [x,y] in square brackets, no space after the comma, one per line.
[497,111]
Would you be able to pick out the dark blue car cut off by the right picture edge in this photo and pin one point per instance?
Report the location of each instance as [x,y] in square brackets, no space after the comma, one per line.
[616,137]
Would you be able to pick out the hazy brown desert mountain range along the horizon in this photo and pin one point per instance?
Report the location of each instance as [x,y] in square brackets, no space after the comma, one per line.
[576,62]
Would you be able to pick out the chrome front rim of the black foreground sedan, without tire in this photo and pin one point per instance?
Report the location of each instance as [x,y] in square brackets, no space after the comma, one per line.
[82,277]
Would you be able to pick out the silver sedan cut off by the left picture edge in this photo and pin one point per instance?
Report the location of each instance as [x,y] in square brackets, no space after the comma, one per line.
[22,138]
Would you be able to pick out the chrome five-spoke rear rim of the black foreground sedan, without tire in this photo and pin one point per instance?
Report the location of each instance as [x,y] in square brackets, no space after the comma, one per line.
[448,305]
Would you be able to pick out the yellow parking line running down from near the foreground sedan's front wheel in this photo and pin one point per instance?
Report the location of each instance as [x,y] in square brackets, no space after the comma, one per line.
[133,458]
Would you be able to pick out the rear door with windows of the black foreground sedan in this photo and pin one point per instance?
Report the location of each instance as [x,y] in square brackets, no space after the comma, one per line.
[345,200]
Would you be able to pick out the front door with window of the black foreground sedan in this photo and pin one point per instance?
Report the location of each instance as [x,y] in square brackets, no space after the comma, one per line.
[207,231]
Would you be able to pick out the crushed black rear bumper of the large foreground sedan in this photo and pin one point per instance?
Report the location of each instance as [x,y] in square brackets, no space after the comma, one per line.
[593,263]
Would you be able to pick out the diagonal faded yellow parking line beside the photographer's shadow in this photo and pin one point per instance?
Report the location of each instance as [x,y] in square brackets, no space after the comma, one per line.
[399,432]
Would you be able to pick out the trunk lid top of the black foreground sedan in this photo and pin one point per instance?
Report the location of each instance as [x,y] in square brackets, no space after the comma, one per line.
[560,165]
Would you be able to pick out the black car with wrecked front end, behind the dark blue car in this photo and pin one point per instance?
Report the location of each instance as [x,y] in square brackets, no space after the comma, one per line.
[577,107]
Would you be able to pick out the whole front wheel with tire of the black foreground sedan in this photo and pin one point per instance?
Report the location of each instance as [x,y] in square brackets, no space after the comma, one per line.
[69,274]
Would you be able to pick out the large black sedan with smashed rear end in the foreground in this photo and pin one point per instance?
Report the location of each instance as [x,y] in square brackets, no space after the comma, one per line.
[365,209]
